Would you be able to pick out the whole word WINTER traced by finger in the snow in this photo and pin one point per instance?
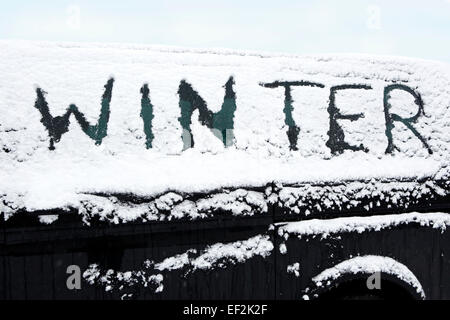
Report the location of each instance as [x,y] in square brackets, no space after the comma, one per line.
[221,123]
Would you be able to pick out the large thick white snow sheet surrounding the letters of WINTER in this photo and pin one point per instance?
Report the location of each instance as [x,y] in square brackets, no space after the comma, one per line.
[34,178]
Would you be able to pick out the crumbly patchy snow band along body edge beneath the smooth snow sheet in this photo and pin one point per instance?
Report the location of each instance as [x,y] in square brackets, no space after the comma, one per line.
[304,200]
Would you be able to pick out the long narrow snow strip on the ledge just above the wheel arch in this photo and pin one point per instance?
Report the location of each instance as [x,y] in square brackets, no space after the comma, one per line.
[325,228]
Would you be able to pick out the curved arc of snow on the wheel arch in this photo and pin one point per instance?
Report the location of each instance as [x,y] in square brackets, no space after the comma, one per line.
[369,265]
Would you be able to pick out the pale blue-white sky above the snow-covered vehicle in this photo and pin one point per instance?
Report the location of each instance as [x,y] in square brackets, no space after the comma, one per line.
[408,28]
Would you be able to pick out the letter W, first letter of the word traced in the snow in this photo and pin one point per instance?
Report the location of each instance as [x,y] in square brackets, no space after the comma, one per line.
[57,126]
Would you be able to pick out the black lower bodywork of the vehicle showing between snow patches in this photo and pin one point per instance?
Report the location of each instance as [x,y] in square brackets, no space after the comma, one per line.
[34,258]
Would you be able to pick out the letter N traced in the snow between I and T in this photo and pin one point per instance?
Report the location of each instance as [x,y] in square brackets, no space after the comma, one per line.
[221,123]
